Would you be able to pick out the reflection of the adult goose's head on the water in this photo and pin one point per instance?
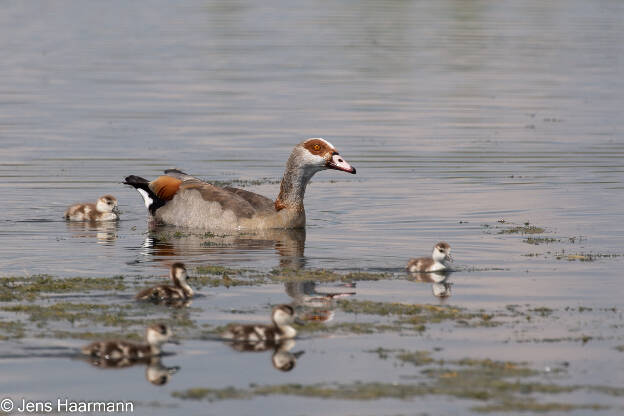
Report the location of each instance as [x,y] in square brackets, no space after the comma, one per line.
[315,306]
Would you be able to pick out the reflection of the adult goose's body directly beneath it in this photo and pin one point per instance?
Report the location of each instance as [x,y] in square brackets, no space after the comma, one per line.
[168,241]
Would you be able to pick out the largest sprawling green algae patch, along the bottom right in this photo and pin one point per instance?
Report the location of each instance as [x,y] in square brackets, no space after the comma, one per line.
[501,386]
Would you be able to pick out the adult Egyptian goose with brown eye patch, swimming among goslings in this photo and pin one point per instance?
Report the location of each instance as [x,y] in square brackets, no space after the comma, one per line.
[183,200]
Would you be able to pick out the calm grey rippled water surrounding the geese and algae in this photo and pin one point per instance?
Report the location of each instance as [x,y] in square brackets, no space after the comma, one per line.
[456,114]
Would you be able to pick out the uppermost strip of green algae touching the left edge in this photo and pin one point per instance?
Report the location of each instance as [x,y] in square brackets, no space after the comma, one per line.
[30,288]
